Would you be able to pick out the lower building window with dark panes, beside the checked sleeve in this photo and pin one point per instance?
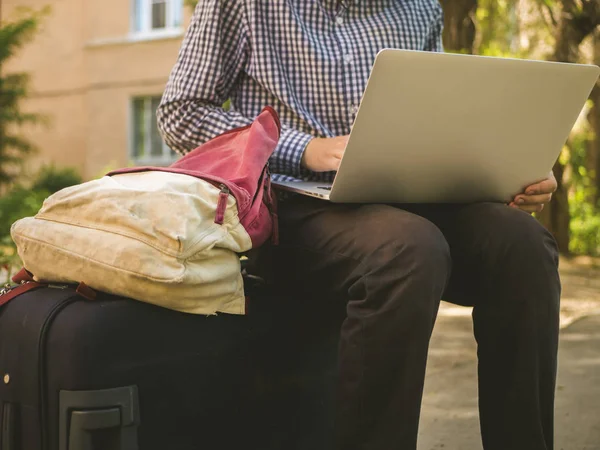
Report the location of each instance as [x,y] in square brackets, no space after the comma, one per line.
[147,146]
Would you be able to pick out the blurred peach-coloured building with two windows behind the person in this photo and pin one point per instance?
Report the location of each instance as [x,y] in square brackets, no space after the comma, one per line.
[98,69]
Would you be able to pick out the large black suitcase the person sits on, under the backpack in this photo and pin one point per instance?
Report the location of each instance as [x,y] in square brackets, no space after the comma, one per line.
[116,374]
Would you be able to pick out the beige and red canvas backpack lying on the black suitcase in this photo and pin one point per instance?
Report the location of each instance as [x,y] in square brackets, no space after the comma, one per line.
[169,236]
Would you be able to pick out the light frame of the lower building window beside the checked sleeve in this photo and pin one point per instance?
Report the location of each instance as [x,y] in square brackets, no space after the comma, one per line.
[168,156]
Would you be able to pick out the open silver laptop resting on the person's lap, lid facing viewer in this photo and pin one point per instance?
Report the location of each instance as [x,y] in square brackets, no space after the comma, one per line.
[448,128]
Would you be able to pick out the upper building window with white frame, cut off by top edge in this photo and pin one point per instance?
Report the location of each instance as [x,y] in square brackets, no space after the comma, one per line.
[152,16]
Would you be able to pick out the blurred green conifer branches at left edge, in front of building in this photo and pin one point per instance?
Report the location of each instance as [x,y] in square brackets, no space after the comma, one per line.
[13,89]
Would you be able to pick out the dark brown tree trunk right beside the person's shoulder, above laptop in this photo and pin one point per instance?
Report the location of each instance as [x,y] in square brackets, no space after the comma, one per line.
[459,25]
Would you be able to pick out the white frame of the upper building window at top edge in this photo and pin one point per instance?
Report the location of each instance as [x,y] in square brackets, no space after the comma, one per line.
[174,12]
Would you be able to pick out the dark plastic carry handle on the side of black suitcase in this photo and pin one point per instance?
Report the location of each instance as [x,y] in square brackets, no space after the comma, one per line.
[114,413]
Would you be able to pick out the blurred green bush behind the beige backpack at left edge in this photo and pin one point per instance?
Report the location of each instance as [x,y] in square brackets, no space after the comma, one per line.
[22,202]
